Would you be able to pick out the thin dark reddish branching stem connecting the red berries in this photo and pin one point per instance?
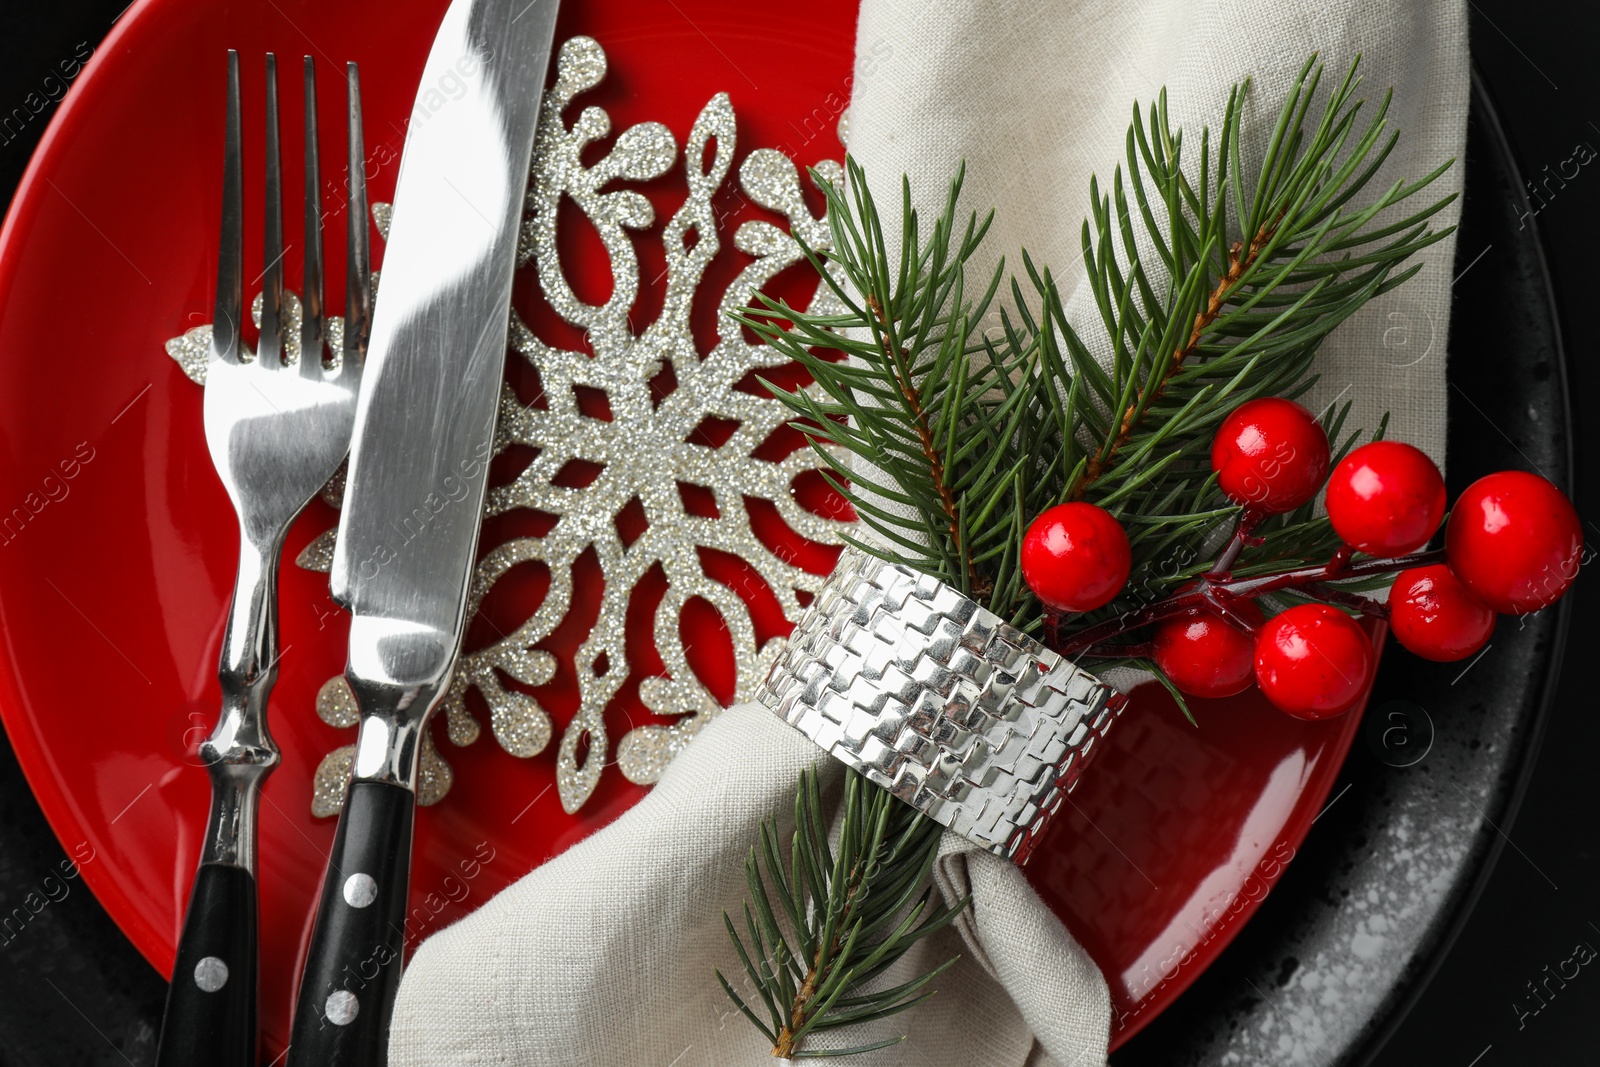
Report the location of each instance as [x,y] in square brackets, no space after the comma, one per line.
[1222,593]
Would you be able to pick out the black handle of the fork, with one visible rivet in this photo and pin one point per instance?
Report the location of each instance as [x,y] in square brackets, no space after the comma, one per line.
[210,1015]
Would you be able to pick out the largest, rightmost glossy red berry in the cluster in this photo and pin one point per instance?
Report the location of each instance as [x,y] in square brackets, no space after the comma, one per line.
[1514,541]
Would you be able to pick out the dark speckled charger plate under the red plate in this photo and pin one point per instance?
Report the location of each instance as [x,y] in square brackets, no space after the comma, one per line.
[1353,932]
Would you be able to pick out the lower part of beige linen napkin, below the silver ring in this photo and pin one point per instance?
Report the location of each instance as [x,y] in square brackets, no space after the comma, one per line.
[606,954]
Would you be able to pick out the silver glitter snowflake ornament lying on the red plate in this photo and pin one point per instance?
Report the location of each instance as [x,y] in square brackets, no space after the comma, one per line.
[639,457]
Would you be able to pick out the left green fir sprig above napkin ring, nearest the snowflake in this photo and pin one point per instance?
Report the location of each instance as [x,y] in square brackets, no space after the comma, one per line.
[905,398]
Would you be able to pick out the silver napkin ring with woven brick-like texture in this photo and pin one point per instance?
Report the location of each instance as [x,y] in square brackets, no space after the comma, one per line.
[940,701]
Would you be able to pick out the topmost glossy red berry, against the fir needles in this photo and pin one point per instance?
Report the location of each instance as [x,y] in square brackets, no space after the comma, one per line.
[1270,455]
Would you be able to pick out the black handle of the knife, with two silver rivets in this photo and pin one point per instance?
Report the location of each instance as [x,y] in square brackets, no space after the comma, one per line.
[353,969]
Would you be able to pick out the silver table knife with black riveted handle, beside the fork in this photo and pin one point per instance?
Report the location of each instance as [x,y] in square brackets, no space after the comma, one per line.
[414,497]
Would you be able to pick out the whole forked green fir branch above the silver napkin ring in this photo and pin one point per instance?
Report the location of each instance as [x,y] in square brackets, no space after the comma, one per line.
[974,436]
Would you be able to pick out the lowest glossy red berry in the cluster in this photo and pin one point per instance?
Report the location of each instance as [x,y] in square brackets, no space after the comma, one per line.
[1313,661]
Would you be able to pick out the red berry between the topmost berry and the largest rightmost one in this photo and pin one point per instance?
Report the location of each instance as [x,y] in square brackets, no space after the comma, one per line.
[1386,498]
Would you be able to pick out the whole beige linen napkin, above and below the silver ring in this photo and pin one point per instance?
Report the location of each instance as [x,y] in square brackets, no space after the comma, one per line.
[606,954]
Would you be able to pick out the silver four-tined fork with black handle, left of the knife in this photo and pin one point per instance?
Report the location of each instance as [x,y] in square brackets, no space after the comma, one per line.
[278,433]
